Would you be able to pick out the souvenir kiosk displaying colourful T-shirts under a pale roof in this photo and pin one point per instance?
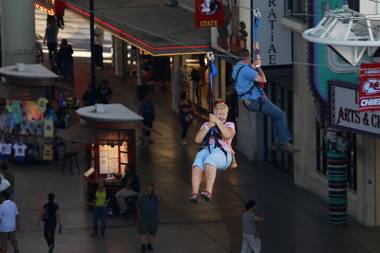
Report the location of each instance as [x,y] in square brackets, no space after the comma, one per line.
[27,111]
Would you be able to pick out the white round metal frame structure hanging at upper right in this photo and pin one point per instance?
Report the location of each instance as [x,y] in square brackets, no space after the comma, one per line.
[348,32]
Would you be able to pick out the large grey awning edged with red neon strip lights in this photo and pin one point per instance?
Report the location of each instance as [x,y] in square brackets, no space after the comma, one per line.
[148,24]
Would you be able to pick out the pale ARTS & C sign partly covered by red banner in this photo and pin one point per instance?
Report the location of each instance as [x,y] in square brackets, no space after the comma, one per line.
[344,111]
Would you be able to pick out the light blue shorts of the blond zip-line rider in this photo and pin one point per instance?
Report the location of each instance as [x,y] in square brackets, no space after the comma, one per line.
[216,158]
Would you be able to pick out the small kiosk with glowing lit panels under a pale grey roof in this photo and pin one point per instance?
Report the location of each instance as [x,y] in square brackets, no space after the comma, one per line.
[109,135]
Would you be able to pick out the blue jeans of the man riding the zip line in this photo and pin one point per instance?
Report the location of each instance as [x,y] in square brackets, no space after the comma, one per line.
[281,133]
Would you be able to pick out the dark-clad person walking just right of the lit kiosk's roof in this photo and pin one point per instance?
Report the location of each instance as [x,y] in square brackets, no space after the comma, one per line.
[146,110]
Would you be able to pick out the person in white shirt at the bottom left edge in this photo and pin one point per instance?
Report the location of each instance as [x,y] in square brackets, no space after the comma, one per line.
[9,222]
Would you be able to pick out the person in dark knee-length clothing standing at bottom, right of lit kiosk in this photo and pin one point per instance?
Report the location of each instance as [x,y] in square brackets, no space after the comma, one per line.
[148,219]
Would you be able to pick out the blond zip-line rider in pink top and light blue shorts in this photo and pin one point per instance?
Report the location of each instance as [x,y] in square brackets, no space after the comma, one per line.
[215,153]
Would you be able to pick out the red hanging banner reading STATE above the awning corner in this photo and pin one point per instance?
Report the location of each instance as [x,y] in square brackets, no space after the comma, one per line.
[208,13]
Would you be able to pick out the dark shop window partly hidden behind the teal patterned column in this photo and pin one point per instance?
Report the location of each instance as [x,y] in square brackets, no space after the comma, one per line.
[351,155]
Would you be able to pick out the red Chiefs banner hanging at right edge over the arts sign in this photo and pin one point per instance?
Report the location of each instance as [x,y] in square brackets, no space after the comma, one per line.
[369,94]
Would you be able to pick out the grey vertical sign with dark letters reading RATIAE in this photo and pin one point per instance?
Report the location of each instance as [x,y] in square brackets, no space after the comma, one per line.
[274,38]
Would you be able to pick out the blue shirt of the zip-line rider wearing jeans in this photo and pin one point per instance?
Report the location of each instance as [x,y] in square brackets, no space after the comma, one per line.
[245,80]
